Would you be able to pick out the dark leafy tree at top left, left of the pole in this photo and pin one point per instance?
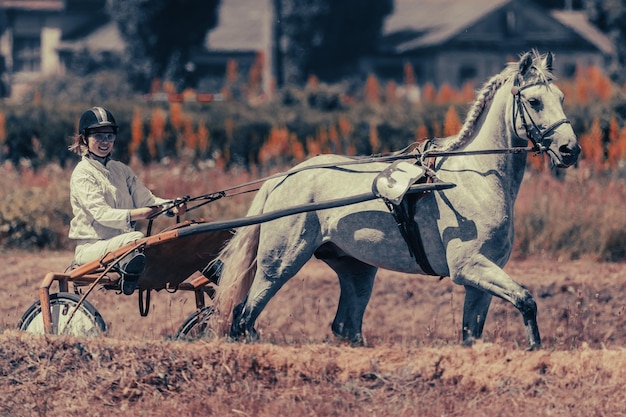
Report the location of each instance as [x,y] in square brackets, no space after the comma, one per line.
[161,35]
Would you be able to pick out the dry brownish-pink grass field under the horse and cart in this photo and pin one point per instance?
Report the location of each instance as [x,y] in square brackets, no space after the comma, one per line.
[413,364]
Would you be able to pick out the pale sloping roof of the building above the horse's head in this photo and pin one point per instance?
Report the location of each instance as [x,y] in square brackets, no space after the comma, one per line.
[434,21]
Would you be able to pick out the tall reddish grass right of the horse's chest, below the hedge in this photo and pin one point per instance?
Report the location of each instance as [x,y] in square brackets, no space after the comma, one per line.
[552,219]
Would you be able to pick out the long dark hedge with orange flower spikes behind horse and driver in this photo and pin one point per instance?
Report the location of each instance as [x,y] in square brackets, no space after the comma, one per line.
[236,129]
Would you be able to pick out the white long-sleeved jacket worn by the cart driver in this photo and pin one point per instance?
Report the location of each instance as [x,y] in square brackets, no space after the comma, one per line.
[102,197]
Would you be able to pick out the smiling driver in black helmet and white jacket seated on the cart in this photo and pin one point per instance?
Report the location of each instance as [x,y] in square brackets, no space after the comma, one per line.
[107,198]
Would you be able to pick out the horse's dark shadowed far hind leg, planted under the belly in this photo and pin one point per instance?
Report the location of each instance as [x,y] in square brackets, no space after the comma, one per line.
[356,280]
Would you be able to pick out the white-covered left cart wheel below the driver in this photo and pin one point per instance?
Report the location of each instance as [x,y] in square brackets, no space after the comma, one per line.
[87,321]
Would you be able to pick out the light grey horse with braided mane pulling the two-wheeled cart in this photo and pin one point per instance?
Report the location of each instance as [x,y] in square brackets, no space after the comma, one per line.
[466,231]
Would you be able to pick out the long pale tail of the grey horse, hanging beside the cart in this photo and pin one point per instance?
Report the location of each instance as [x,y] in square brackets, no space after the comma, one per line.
[238,266]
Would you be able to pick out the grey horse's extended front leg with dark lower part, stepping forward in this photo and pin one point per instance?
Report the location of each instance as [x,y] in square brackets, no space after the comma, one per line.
[484,275]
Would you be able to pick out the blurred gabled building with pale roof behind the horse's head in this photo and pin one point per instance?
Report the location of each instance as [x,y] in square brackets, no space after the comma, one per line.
[454,41]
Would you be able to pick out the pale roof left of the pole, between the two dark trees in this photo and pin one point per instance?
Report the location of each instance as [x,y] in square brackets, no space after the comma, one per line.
[243,25]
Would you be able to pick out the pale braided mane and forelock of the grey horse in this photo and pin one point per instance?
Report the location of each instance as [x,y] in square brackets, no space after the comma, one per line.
[539,73]
